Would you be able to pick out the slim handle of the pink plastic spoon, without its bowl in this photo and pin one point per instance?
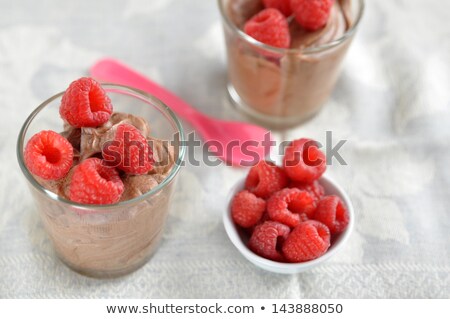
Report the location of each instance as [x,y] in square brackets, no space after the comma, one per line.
[111,70]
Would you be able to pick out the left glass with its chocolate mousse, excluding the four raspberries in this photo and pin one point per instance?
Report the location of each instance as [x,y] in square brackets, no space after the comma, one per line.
[108,240]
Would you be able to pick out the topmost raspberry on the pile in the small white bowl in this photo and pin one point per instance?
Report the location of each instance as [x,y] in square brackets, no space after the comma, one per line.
[265,178]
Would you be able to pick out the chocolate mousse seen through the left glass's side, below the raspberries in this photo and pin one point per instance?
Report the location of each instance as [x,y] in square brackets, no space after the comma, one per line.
[107,243]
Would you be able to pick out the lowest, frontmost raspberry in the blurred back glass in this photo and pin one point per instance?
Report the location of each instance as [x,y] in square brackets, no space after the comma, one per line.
[269,27]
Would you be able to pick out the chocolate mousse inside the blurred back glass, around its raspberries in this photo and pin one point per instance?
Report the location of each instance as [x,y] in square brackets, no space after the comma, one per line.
[293,84]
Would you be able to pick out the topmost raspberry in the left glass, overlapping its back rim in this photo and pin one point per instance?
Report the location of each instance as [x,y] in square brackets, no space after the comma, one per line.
[85,104]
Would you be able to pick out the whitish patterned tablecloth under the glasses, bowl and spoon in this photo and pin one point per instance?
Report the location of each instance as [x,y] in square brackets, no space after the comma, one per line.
[392,104]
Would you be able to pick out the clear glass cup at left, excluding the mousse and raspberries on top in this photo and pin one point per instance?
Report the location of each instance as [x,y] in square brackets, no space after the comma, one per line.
[107,240]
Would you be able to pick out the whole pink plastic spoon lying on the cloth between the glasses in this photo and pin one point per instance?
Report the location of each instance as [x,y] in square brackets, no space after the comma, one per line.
[236,143]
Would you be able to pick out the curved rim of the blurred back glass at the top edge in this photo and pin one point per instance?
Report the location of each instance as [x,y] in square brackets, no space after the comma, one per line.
[304,51]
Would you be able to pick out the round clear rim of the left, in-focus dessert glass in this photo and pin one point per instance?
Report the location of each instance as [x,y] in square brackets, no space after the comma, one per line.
[157,103]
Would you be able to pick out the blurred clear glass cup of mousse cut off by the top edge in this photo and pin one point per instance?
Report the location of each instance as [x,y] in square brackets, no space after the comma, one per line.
[282,87]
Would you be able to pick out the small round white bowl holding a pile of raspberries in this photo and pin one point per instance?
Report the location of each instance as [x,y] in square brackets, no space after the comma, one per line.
[240,239]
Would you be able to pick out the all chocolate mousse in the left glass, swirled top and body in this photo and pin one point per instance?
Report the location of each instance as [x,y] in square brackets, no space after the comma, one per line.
[110,241]
